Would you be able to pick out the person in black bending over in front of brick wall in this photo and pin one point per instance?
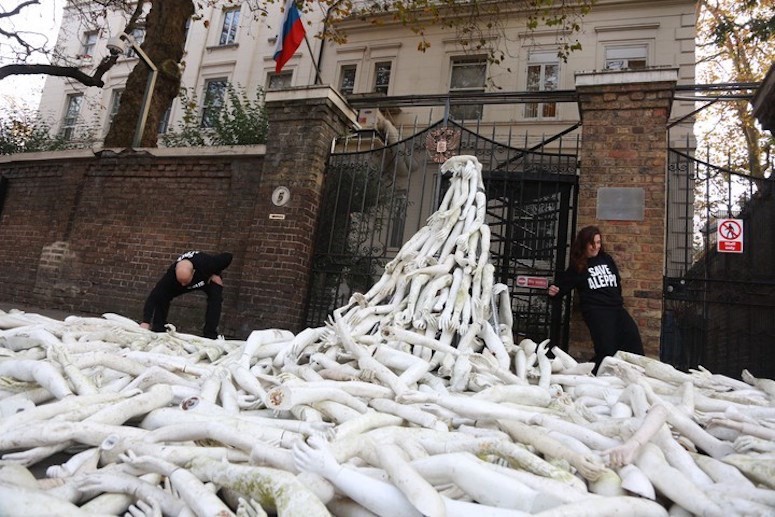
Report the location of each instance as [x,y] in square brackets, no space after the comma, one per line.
[192,271]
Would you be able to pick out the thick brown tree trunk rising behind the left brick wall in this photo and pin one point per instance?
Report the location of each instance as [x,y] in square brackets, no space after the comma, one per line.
[164,43]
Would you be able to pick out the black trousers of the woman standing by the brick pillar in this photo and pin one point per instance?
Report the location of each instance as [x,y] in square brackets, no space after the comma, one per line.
[612,329]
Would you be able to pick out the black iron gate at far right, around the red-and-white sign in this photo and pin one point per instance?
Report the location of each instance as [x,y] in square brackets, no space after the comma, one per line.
[719,306]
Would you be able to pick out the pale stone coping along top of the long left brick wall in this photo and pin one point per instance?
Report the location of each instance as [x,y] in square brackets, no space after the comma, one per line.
[159,152]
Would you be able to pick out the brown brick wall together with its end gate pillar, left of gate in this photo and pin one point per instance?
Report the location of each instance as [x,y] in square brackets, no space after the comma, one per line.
[91,234]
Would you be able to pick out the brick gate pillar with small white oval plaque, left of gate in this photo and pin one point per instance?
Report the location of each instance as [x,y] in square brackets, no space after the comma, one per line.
[302,125]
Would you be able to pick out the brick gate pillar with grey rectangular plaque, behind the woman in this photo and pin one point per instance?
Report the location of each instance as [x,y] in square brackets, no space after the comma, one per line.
[622,184]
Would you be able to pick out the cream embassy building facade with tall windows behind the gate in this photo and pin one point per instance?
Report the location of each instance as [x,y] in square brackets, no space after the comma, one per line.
[230,43]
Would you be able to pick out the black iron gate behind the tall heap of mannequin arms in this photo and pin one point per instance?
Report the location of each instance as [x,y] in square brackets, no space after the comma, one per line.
[375,199]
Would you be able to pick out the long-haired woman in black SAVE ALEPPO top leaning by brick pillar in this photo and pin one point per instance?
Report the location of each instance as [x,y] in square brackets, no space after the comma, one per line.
[594,273]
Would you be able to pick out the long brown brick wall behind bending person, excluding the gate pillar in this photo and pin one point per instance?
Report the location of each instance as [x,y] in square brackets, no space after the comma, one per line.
[92,234]
